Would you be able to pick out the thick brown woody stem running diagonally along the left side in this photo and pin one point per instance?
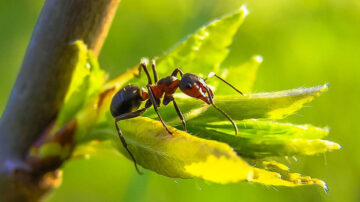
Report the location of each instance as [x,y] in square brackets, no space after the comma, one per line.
[42,84]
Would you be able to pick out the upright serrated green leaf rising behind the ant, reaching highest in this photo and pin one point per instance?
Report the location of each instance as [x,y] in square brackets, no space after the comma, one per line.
[205,50]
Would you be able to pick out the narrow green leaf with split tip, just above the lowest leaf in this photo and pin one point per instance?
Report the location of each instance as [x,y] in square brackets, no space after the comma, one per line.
[260,138]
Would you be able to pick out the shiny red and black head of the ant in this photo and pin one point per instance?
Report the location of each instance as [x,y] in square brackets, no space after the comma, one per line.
[196,87]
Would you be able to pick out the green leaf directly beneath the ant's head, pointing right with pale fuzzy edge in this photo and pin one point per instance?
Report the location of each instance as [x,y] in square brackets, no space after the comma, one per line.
[273,105]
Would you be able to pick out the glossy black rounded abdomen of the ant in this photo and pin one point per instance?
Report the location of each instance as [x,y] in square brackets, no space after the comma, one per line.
[126,100]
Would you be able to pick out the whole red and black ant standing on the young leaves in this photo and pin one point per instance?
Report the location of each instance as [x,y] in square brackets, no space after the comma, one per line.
[126,102]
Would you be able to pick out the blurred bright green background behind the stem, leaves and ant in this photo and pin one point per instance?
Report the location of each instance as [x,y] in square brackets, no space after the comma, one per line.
[303,42]
